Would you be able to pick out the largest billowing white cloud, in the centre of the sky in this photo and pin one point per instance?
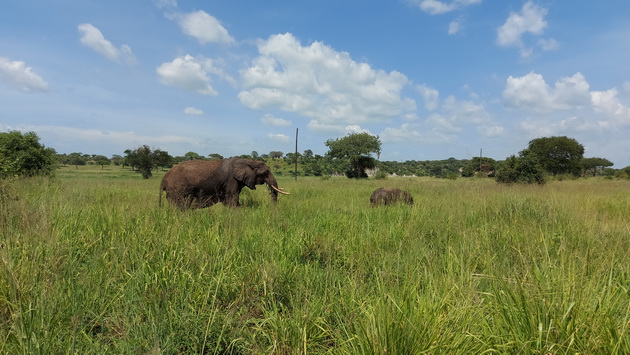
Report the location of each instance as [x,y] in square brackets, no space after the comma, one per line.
[318,82]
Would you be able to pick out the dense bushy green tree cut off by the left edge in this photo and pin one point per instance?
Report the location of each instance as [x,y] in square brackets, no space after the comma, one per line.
[23,155]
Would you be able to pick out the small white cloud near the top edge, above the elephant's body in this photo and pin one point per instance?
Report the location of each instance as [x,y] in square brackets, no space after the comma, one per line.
[202,26]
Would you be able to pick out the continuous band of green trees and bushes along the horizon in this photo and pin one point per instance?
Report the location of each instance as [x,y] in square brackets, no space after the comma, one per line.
[355,156]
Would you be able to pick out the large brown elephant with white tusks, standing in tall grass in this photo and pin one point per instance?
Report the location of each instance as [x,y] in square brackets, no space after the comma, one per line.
[202,183]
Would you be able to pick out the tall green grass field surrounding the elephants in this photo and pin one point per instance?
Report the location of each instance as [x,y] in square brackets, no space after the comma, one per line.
[90,264]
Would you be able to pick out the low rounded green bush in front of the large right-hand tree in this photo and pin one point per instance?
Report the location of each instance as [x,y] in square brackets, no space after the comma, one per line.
[522,170]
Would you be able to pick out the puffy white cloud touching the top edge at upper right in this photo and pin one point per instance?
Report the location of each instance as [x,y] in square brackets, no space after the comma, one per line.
[531,20]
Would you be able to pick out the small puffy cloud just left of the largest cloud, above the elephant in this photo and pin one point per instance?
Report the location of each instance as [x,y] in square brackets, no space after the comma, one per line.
[190,73]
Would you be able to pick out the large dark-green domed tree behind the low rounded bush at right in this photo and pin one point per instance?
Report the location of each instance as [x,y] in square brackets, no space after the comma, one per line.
[556,155]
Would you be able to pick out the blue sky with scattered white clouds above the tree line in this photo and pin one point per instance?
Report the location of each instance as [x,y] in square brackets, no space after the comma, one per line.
[432,78]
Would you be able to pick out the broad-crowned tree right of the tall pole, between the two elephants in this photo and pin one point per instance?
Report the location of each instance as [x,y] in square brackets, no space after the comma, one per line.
[356,149]
